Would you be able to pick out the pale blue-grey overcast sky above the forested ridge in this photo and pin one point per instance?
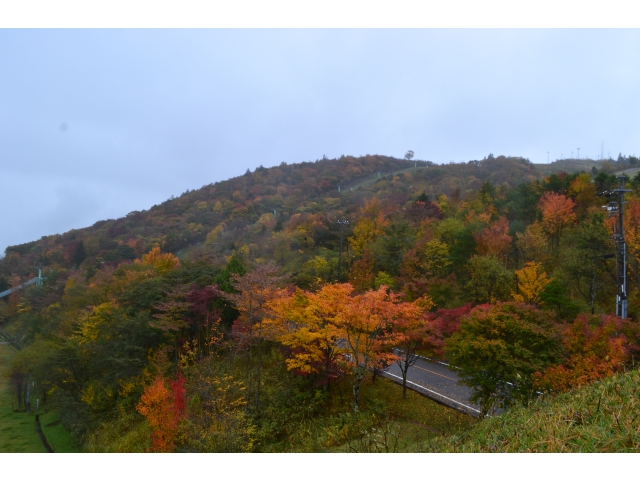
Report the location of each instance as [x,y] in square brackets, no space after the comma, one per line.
[97,123]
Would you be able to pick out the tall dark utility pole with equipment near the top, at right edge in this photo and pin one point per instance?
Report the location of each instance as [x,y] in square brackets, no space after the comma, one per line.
[617,207]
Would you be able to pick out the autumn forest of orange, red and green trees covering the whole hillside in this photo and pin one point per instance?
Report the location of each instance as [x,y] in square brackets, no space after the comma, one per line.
[217,320]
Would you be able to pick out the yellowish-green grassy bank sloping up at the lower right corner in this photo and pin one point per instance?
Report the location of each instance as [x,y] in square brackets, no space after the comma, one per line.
[602,417]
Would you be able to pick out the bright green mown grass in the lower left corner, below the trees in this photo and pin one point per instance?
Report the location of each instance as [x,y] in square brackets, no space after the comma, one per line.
[18,429]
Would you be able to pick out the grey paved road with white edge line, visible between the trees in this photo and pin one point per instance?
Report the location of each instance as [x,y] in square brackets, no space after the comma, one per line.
[437,381]
